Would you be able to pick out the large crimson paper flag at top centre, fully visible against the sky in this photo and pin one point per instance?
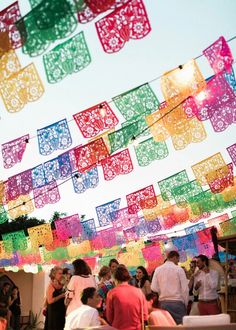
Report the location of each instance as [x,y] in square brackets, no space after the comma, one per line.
[125,23]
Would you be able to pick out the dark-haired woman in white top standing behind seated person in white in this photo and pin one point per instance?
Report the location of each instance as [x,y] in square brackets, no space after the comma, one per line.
[81,279]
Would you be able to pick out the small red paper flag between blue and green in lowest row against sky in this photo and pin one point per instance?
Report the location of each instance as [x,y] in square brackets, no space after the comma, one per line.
[141,199]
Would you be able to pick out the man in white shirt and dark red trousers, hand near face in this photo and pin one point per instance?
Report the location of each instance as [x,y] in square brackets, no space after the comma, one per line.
[205,284]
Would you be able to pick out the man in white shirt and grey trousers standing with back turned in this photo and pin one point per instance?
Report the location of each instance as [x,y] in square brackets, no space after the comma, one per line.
[170,282]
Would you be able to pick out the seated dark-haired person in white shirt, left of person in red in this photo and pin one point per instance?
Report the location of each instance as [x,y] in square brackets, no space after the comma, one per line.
[86,315]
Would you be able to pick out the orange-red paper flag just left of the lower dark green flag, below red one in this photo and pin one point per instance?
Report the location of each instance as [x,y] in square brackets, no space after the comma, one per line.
[90,154]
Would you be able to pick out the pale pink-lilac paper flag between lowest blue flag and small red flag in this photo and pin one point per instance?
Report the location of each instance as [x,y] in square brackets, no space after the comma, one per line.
[122,219]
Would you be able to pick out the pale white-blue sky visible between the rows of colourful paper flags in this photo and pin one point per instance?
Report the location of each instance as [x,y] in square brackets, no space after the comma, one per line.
[180,31]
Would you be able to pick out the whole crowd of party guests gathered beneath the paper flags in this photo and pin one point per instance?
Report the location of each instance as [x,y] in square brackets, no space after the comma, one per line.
[126,302]
